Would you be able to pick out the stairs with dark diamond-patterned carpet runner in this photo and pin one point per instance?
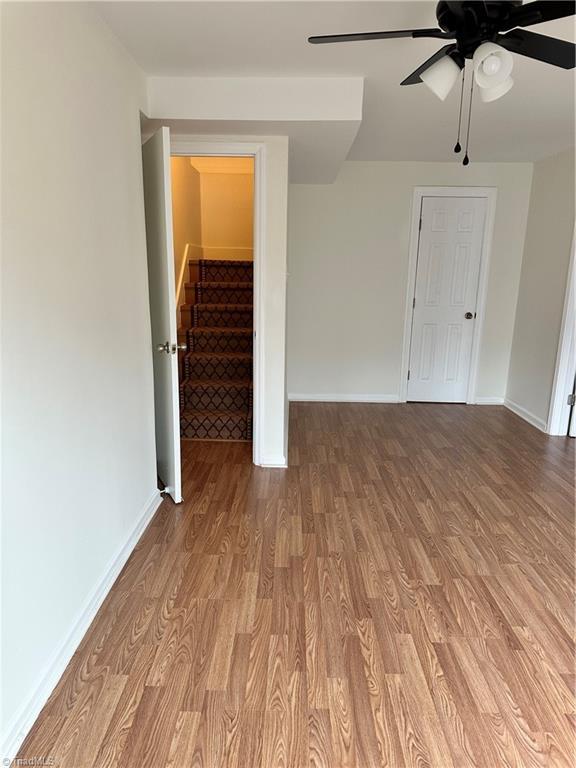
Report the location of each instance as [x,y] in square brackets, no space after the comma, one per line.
[216,369]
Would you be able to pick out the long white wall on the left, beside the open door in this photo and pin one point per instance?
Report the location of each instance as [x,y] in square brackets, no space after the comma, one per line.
[78,467]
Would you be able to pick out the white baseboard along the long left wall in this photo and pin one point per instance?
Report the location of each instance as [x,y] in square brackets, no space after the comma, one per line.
[20,724]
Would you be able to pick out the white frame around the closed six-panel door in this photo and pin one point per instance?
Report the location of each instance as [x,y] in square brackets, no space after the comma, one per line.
[489,194]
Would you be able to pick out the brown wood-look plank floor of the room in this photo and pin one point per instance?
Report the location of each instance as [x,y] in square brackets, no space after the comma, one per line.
[401,596]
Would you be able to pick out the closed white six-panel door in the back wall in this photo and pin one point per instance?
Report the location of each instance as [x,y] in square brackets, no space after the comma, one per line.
[446,288]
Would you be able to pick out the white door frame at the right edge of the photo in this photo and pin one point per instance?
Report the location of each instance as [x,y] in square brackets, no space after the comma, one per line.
[559,413]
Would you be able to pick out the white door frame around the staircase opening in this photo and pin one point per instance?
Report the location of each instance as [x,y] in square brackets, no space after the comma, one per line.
[183,146]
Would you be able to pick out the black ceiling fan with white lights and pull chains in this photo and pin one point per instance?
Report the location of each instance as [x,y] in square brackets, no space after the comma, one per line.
[487,32]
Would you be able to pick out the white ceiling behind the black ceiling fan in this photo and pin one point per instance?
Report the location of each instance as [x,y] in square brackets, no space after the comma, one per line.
[268,39]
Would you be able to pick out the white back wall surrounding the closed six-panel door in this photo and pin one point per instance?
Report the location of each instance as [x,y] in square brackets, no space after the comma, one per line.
[348,262]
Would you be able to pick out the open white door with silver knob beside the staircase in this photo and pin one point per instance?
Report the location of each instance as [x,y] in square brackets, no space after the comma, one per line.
[158,208]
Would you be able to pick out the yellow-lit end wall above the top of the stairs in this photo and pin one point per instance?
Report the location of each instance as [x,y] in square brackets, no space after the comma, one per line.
[227,211]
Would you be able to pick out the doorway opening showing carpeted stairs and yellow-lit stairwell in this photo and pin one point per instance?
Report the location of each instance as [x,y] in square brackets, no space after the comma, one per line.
[213,231]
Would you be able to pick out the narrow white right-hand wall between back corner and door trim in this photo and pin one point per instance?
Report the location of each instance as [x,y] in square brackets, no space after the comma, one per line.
[542,287]
